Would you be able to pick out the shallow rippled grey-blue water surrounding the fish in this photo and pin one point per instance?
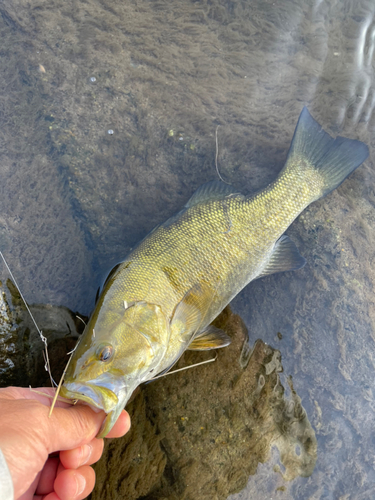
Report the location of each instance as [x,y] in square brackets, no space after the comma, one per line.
[162,75]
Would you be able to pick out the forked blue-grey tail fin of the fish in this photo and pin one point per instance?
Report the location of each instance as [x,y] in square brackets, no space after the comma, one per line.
[333,159]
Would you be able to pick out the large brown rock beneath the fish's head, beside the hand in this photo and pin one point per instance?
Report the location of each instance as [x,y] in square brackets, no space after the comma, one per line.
[201,433]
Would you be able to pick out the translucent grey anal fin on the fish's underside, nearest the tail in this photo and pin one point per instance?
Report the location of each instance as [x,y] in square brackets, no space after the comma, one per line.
[285,257]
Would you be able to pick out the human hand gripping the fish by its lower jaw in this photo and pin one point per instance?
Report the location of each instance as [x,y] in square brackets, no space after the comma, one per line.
[29,440]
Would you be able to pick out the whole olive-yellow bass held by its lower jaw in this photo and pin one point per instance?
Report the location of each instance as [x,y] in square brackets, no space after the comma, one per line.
[161,300]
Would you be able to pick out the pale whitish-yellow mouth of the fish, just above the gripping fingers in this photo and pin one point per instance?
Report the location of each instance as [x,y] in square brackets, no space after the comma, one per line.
[102,393]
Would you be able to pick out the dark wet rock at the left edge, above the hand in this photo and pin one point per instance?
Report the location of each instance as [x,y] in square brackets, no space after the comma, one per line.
[21,348]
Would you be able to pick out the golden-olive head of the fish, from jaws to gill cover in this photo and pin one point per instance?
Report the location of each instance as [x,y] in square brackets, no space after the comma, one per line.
[117,352]
